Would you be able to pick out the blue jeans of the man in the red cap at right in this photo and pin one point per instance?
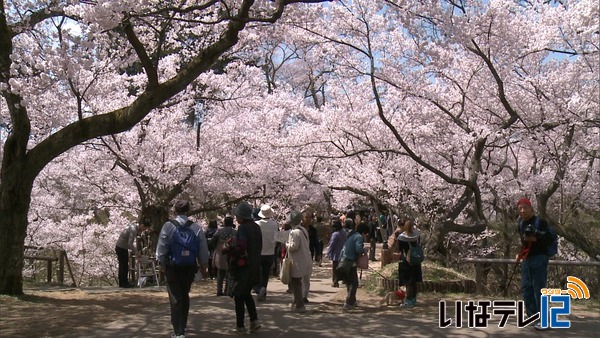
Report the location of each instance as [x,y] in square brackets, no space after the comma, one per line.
[534,276]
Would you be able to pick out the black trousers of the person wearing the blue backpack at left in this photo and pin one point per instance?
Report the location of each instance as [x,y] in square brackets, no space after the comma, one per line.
[179,283]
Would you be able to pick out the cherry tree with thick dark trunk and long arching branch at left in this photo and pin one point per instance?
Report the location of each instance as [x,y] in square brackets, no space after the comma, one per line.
[71,72]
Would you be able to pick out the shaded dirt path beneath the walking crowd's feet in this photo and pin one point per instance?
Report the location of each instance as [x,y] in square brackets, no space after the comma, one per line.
[114,312]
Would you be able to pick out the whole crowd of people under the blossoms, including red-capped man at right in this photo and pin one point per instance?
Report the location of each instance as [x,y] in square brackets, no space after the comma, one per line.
[243,257]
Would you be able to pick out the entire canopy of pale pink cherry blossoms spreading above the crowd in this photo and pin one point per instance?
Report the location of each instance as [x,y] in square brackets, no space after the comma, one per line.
[445,111]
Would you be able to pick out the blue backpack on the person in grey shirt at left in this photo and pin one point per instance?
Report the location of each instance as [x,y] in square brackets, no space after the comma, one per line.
[184,246]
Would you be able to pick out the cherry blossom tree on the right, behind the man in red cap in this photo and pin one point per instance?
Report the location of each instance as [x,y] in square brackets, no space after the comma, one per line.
[476,115]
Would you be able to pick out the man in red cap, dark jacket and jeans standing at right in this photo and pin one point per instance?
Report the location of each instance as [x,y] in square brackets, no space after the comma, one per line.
[535,239]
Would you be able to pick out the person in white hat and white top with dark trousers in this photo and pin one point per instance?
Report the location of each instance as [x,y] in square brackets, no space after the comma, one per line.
[269,229]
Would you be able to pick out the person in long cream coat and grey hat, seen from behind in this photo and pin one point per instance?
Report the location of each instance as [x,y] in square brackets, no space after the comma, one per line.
[299,251]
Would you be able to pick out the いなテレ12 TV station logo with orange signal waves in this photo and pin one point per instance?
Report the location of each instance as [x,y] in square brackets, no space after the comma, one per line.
[554,303]
